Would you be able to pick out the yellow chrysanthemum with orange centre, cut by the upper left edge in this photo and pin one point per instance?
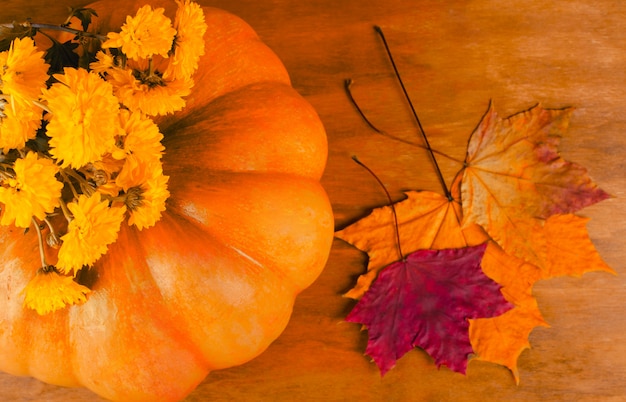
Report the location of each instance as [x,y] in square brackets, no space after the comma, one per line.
[23,71]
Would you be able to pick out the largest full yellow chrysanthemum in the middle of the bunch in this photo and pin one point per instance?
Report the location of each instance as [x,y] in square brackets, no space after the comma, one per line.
[84,121]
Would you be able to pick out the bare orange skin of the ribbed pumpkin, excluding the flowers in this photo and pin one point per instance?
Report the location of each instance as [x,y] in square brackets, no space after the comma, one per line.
[247,227]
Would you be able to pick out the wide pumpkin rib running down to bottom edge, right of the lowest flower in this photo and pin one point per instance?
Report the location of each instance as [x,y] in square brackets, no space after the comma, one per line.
[123,313]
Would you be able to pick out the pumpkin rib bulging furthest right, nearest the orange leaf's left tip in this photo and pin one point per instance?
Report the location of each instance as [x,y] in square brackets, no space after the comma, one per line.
[266,211]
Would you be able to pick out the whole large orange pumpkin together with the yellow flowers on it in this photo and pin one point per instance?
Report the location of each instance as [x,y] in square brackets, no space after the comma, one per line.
[159,194]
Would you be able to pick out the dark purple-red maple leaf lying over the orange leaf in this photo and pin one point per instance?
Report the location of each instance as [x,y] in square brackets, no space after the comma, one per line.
[425,301]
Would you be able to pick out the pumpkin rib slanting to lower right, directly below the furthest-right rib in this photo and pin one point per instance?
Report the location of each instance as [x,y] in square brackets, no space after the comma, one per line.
[237,291]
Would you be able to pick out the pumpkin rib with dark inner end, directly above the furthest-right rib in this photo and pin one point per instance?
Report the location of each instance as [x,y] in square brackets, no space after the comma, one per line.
[265,127]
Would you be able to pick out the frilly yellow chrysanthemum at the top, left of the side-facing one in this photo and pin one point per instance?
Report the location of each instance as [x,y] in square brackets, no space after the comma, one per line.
[146,34]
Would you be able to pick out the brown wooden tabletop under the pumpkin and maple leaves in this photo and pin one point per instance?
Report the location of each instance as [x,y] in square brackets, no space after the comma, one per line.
[454,56]
